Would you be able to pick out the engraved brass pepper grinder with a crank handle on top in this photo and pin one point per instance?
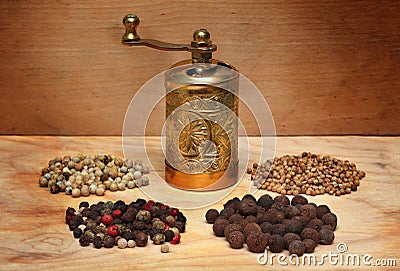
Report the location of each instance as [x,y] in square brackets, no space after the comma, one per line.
[201,135]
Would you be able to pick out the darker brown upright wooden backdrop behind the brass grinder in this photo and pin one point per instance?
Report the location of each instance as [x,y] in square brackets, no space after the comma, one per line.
[324,67]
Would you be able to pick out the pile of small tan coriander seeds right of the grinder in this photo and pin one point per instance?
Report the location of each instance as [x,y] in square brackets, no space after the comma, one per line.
[308,173]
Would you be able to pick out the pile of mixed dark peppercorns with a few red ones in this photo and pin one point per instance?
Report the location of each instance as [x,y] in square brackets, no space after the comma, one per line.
[104,224]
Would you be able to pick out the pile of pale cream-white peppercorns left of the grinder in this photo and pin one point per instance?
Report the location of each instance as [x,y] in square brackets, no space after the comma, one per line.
[82,175]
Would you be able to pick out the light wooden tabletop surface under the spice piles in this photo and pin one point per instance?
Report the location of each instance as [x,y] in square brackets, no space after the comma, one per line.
[33,235]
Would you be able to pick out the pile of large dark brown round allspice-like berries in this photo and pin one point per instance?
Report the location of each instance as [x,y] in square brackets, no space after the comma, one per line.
[296,225]
